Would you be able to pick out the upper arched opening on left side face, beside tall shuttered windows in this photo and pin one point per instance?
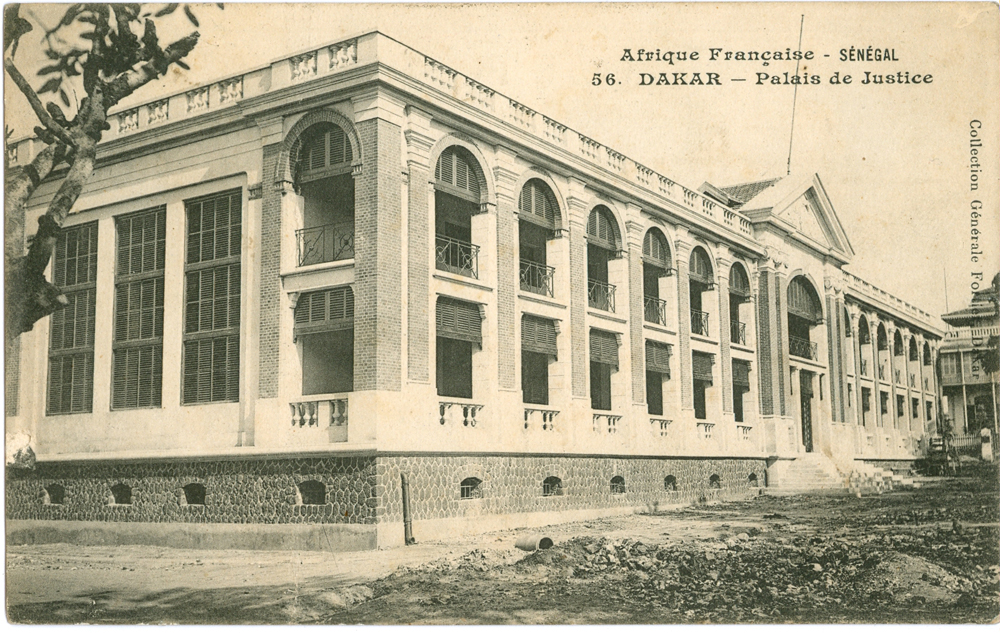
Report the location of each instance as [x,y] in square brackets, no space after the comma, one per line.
[322,171]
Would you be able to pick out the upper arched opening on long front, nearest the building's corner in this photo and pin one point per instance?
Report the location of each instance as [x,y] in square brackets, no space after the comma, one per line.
[457,197]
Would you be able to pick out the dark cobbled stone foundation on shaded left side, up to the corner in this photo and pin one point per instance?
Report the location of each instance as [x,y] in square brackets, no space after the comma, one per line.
[244,491]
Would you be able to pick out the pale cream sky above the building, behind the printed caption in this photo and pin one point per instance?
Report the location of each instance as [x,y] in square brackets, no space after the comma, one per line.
[894,158]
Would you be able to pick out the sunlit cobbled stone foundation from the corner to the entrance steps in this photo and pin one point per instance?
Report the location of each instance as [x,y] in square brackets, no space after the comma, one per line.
[513,484]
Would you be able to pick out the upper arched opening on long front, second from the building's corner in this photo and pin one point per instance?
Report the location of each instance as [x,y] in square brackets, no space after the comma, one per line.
[538,221]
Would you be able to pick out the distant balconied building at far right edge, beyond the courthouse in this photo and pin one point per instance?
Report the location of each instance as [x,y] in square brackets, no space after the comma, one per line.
[968,389]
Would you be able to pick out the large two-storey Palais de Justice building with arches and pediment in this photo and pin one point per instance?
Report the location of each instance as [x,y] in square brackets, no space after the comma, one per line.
[291,286]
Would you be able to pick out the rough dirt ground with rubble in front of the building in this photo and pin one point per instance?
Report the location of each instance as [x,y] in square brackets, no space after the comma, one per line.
[928,555]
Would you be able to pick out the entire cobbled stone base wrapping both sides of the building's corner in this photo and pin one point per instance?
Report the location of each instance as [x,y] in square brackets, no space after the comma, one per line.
[259,503]
